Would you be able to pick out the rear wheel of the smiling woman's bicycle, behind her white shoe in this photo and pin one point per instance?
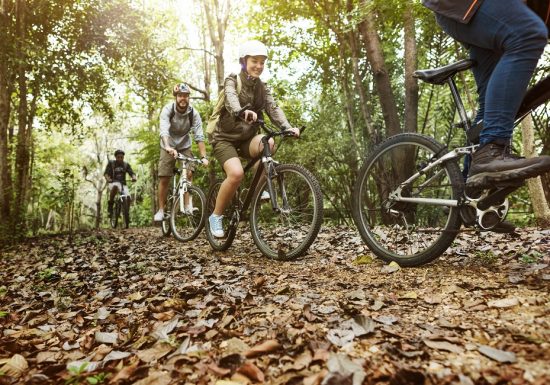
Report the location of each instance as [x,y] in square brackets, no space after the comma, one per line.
[230,219]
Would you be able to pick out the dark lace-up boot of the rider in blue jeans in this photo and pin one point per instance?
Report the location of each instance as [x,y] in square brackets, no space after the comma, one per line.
[493,163]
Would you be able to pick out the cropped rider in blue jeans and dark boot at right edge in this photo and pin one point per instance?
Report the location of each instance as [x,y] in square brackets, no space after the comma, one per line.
[506,39]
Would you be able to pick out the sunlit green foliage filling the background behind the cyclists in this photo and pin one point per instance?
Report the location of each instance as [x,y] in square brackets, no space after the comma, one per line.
[99,73]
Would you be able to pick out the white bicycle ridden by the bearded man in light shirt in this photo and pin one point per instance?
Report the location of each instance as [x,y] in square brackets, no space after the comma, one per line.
[185,207]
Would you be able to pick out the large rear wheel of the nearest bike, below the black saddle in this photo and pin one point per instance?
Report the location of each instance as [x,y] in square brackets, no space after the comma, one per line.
[410,234]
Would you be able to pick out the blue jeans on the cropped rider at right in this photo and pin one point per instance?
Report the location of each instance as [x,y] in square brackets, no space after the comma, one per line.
[506,39]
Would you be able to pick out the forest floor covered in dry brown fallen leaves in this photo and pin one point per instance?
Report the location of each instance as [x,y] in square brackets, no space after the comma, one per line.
[130,306]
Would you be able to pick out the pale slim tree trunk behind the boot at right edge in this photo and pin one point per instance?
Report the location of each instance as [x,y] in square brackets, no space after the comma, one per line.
[536,191]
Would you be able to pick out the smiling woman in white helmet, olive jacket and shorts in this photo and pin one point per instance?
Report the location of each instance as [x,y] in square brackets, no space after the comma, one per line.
[235,136]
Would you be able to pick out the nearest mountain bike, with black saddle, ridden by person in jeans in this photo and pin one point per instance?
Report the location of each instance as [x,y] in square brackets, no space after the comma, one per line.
[410,200]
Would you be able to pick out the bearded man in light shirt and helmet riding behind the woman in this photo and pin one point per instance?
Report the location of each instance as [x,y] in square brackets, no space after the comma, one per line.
[177,120]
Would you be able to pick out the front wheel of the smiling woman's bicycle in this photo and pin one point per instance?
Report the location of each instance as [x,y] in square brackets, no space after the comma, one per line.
[287,232]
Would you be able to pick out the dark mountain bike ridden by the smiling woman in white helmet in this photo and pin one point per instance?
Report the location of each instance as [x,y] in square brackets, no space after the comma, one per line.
[283,226]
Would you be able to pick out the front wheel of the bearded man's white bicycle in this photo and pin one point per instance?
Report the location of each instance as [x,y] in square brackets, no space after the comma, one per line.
[187,219]
